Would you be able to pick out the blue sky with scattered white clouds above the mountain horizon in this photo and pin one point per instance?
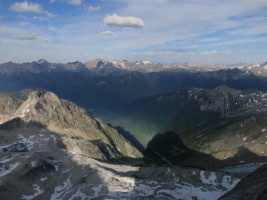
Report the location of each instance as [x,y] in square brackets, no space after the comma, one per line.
[165,31]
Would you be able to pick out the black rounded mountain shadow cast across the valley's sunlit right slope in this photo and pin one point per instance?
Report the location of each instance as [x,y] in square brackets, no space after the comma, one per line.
[168,149]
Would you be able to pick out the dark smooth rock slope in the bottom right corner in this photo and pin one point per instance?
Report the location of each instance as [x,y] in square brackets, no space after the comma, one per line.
[252,187]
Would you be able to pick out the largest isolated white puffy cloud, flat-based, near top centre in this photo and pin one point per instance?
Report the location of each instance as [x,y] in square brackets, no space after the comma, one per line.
[123,22]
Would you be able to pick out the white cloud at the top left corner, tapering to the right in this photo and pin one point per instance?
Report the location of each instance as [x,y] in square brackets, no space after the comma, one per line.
[28,7]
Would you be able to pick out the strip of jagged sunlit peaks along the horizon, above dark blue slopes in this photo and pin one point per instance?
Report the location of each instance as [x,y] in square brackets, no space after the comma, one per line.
[141,66]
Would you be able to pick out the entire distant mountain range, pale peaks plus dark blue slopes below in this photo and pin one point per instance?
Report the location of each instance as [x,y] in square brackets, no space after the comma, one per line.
[103,86]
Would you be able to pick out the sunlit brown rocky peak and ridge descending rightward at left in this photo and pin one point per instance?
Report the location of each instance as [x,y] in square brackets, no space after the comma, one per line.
[78,130]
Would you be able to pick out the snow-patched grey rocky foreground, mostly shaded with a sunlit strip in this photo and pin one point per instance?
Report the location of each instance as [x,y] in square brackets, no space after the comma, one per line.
[34,166]
